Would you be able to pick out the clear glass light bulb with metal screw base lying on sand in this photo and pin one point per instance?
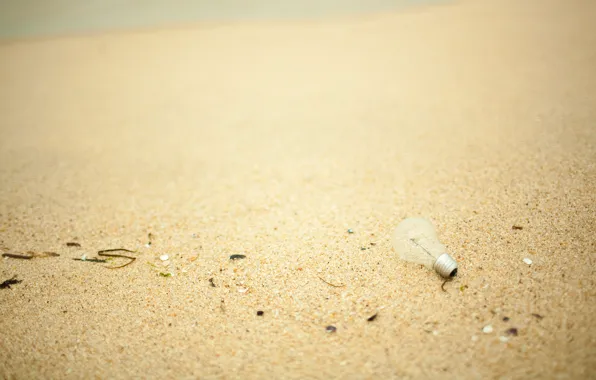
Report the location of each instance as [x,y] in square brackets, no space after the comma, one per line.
[415,240]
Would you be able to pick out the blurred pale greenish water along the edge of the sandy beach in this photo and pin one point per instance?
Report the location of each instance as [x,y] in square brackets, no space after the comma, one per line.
[27,18]
